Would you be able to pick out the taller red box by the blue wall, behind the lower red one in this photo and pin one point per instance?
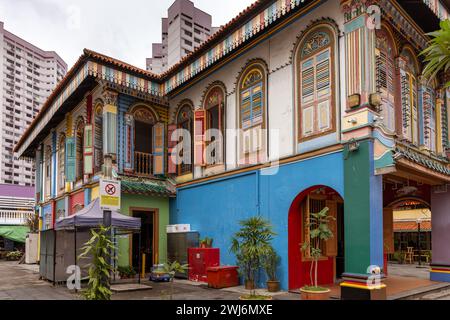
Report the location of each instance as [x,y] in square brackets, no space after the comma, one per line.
[199,260]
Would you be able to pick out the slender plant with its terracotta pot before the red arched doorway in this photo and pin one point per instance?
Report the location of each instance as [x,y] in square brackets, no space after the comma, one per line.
[320,231]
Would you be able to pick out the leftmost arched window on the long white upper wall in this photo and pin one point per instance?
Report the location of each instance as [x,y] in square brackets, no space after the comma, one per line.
[185,121]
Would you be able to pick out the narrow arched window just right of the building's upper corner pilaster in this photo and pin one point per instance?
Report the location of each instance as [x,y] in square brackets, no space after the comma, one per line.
[385,76]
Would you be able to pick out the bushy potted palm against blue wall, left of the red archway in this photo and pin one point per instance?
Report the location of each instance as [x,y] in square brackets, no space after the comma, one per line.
[250,244]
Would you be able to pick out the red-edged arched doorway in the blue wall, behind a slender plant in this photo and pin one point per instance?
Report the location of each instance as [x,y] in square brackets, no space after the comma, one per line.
[331,265]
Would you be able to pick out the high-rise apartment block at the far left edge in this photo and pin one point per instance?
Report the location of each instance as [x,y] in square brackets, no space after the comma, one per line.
[28,76]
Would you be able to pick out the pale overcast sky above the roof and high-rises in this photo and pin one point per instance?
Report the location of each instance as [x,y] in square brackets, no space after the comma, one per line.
[124,29]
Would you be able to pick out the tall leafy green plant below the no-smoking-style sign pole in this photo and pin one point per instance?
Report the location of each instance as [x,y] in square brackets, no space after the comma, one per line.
[99,248]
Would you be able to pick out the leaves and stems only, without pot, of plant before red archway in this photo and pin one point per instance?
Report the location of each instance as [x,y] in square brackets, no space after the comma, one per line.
[320,231]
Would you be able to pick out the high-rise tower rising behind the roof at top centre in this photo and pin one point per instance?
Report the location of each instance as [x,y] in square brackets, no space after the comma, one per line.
[185,28]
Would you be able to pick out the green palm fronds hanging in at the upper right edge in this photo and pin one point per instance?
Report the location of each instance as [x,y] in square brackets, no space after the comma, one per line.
[437,54]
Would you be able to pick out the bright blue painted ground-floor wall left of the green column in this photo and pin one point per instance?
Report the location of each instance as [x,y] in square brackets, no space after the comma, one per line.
[215,208]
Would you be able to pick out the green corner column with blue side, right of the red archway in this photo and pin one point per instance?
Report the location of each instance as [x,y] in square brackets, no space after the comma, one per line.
[363,210]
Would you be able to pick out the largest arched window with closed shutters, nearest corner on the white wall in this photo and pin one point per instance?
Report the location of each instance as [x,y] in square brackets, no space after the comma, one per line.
[315,74]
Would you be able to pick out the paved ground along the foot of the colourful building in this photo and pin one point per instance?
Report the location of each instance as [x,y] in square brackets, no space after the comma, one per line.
[21,282]
